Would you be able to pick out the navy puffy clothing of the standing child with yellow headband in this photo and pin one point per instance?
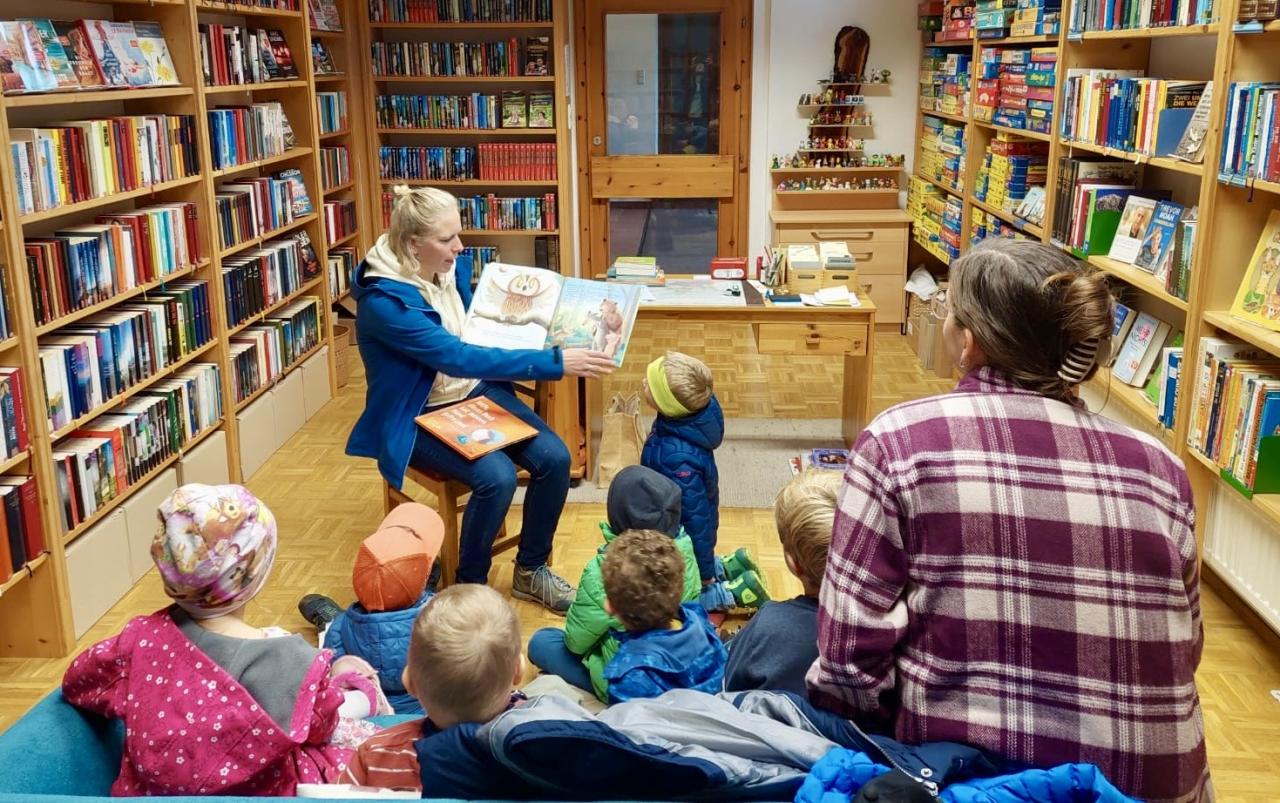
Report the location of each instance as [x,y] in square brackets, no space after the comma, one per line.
[684,451]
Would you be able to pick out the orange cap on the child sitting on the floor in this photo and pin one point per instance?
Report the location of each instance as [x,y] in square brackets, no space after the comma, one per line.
[395,563]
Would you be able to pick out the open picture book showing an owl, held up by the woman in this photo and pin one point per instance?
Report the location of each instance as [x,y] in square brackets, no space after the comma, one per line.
[516,307]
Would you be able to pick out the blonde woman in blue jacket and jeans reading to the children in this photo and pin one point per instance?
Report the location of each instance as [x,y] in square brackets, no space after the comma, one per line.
[412,300]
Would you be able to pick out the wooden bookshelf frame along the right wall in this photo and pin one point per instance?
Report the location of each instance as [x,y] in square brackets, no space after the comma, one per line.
[1233,215]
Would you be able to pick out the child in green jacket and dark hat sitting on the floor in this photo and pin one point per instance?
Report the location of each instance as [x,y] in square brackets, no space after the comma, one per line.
[639,500]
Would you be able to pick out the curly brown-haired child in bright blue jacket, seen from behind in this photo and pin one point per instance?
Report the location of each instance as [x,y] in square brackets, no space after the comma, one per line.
[666,645]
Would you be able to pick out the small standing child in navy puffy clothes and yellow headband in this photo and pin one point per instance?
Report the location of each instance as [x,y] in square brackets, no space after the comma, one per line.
[687,432]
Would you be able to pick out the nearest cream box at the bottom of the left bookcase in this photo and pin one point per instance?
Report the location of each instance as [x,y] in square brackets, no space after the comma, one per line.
[98,571]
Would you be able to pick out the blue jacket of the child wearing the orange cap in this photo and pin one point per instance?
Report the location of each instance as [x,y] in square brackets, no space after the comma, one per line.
[381,638]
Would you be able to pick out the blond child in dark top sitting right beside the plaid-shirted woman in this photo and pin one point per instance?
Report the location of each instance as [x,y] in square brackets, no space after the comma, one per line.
[779,646]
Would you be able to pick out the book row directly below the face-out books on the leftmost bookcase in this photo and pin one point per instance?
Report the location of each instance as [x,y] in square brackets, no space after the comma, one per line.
[90,159]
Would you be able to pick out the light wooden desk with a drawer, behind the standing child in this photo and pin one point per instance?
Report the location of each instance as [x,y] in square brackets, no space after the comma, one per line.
[785,331]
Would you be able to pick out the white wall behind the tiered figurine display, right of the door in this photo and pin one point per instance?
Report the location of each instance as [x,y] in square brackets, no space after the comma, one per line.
[794,44]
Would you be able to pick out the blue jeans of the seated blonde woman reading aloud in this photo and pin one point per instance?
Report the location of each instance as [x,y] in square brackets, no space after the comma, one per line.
[493,485]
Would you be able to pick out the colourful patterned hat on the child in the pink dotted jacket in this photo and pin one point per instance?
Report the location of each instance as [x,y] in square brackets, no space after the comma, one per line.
[216,547]
